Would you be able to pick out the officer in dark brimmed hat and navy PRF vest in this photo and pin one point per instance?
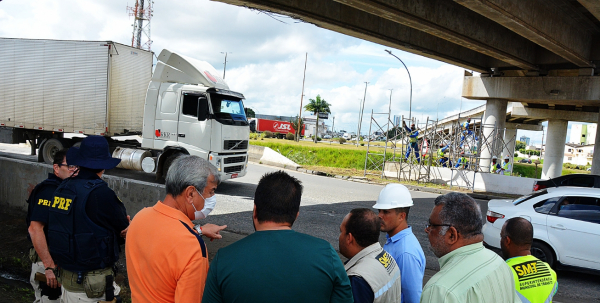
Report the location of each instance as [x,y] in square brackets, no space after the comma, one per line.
[87,223]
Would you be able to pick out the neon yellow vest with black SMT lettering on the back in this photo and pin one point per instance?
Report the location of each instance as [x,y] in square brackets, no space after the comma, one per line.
[535,281]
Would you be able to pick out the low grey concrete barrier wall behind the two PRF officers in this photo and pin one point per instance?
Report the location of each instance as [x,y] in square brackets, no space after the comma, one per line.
[18,178]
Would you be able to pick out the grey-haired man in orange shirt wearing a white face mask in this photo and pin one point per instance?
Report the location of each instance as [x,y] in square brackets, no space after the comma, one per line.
[167,259]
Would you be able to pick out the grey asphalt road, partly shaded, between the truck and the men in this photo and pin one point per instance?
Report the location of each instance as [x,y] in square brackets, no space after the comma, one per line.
[325,202]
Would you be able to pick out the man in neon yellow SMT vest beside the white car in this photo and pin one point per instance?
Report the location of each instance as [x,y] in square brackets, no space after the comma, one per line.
[535,281]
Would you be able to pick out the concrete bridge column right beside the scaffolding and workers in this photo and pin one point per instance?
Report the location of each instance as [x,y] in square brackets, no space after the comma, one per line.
[495,115]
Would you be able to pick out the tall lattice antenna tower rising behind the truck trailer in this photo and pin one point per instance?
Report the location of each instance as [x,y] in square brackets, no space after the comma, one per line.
[142,11]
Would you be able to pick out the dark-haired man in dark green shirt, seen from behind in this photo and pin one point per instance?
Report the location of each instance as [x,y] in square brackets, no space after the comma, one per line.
[277,264]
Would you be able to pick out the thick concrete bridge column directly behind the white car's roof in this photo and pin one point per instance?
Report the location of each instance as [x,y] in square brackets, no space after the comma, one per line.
[555,148]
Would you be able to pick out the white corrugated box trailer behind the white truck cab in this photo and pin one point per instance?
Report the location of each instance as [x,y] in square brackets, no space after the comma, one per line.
[85,87]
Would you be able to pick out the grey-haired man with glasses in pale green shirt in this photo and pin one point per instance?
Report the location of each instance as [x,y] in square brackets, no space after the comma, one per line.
[468,271]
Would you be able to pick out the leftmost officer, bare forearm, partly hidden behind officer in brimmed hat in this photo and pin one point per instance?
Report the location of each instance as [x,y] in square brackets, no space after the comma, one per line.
[37,223]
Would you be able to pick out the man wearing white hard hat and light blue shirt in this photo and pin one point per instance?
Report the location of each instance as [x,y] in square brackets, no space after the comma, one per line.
[393,204]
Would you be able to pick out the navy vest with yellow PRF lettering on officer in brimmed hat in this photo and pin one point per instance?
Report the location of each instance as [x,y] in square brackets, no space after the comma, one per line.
[75,242]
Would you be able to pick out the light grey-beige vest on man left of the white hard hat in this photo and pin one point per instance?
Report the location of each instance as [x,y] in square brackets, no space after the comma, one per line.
[380,271]
